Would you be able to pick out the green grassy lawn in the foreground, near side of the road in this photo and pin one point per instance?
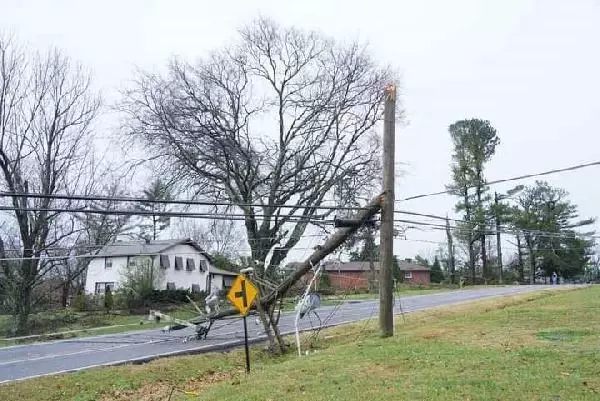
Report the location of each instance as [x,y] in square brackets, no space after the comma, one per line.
[541,346]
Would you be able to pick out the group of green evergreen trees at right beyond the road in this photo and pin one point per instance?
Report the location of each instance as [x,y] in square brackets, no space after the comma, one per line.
[544,223]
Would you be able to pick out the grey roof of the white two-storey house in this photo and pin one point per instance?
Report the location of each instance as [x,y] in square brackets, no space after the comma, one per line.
[135,248]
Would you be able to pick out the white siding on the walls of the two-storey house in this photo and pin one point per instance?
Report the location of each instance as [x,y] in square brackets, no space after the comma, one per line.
[183,279]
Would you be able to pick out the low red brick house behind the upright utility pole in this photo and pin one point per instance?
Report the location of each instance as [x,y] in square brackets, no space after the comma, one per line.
[358,275]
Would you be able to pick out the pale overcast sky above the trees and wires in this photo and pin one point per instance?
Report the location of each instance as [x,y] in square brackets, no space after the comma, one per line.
[530,67]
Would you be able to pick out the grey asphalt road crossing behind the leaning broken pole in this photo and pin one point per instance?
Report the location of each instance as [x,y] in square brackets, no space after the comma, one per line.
[47,358]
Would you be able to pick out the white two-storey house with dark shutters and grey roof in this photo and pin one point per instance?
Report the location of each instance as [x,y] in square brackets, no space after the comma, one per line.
[182,264]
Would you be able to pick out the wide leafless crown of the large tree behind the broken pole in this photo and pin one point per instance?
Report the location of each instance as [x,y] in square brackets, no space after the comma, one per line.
[281,118]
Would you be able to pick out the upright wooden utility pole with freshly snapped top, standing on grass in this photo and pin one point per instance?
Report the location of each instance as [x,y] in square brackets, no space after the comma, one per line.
[386,252]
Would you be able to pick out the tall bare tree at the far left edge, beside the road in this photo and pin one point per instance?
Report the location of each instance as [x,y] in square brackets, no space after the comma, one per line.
[46,109]
